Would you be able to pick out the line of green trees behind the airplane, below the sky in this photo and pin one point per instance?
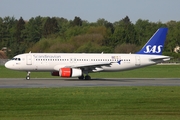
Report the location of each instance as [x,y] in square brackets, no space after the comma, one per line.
[59,35]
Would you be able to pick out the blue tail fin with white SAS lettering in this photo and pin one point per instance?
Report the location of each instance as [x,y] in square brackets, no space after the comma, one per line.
[155,44]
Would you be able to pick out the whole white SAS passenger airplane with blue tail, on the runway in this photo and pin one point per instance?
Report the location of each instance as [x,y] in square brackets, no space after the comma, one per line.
[77,64]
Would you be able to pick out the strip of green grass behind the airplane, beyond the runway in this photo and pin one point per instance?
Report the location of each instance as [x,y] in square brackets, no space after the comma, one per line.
[156,71]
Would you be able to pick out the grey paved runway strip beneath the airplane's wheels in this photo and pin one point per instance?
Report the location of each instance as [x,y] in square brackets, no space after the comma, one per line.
[72,82]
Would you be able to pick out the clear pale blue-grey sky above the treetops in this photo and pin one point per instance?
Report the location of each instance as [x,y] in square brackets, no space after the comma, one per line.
[92,10]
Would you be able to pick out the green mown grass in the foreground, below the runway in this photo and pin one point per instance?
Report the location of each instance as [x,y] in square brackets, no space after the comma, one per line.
[91,103]
